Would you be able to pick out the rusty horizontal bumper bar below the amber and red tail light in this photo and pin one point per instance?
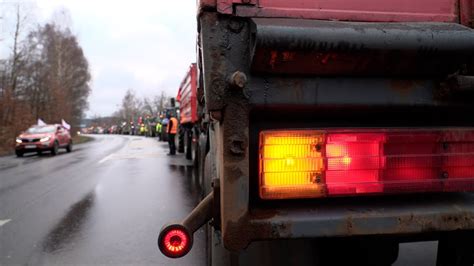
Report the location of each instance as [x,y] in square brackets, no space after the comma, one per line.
[425,216]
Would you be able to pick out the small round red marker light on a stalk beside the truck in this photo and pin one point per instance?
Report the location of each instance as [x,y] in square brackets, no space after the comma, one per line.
[175,241]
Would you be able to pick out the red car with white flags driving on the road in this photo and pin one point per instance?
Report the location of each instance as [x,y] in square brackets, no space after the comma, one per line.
[43,138]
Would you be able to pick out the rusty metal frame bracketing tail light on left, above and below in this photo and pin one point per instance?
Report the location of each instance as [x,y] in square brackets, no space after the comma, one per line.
[225,49]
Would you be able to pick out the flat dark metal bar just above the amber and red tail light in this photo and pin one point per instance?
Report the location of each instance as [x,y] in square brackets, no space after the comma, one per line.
[310,92]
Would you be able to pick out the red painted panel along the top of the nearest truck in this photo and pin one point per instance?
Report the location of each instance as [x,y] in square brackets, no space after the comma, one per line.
[354,10]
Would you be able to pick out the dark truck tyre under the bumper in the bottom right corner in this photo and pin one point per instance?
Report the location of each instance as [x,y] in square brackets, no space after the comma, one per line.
[456,249]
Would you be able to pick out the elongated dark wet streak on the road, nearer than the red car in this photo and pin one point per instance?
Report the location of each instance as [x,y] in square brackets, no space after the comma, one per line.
[69,226]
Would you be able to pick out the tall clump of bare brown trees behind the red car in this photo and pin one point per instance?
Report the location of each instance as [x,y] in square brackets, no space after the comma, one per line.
[46,75]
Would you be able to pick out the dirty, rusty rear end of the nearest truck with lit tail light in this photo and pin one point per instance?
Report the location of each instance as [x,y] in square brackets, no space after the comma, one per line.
[369,102]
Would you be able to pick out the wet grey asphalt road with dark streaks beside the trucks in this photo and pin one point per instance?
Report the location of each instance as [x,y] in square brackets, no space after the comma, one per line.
[104,203]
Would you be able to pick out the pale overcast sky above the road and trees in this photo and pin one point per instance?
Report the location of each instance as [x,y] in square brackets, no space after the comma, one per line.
[146,45]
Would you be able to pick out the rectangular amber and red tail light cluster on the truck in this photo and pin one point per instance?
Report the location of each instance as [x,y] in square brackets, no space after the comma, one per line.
[326,163]
